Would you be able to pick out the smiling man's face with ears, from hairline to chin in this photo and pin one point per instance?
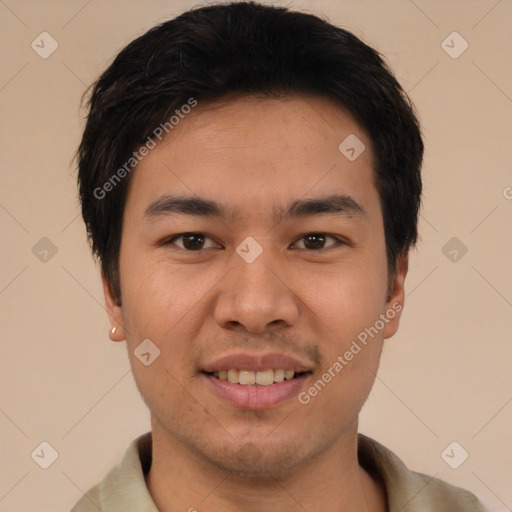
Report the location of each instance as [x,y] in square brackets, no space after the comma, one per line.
[283,268]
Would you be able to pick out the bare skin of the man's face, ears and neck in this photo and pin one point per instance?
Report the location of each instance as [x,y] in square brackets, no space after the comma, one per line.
[254,154]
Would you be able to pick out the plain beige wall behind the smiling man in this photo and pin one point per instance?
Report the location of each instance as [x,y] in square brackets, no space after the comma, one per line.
[446,376]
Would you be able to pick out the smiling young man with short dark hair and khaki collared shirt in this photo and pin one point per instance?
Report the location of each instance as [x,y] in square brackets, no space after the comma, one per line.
[250,182]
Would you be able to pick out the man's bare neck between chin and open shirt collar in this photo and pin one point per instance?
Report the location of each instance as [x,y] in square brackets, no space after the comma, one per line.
[332,482]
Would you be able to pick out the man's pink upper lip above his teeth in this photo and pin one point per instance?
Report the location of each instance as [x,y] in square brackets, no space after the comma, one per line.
[257,362]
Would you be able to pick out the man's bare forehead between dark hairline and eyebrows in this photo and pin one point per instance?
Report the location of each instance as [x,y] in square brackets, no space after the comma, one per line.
[252,151]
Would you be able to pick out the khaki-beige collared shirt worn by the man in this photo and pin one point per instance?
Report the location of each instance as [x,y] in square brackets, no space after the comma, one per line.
[124,488]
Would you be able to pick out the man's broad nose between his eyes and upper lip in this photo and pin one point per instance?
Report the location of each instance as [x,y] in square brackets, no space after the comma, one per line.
[256,297]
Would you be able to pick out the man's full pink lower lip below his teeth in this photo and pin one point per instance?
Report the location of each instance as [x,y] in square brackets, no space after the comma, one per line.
[256,397]
